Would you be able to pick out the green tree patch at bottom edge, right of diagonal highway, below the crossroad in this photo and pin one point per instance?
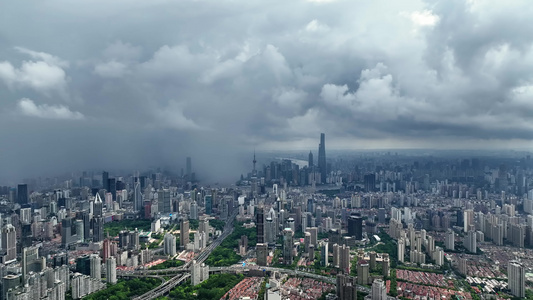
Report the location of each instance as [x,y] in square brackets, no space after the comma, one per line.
[214,288]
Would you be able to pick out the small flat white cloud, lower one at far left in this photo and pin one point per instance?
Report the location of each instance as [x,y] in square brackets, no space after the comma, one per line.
[28,108]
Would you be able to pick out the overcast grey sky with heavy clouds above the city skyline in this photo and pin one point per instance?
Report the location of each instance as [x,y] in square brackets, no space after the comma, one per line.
[139,83]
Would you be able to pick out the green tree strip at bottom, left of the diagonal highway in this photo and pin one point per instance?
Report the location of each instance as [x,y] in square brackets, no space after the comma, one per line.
[125,289]
